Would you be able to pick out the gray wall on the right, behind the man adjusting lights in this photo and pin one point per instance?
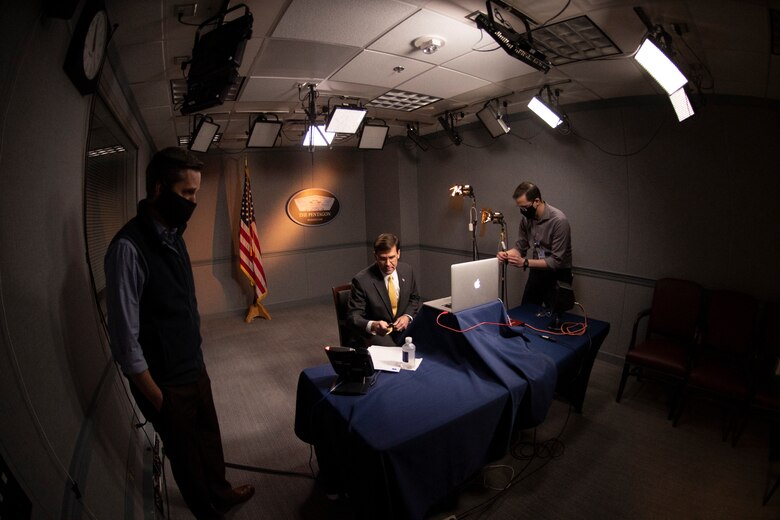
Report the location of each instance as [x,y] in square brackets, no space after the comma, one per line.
[647,197]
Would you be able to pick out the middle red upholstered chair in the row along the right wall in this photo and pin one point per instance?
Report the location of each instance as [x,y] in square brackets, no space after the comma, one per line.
[722,366]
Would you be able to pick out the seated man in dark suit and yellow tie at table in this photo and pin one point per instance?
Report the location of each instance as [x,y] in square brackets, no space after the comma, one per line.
[384,297]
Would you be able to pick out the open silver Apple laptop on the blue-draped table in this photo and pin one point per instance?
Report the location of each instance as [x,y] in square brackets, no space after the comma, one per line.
[471,284]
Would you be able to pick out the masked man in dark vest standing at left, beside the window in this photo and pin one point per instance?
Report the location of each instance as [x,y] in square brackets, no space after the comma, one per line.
[154,327]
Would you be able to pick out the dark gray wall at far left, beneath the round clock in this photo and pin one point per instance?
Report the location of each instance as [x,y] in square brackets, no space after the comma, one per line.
[65,415]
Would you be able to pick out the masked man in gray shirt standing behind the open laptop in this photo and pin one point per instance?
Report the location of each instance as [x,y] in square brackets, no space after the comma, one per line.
[543,245]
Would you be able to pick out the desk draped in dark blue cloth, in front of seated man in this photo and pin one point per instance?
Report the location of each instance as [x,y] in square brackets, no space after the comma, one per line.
[417,436]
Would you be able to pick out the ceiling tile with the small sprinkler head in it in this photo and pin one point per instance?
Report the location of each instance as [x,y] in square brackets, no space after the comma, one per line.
[377,68]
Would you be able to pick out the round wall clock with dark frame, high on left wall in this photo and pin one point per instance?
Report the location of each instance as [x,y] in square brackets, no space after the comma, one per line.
[87,49]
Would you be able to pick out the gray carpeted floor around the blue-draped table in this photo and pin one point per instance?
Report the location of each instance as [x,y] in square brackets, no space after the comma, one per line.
[621,461]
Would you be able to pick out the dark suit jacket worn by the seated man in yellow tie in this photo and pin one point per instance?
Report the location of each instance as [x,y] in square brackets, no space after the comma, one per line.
[369,300]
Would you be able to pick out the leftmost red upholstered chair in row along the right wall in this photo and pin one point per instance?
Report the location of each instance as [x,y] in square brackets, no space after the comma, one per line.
[672,330]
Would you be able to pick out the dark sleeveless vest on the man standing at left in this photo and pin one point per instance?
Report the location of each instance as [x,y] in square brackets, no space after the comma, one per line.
[169,321]
